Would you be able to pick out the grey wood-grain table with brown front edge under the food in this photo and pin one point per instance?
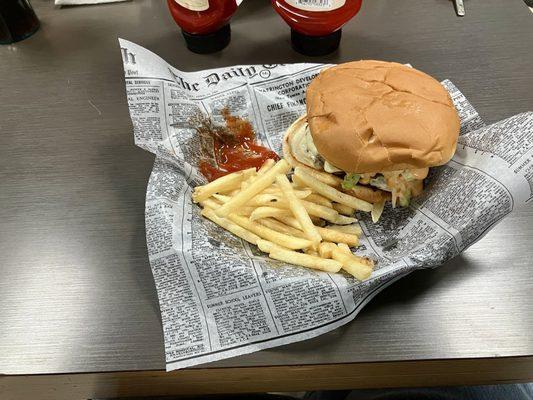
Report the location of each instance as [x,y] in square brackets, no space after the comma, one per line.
[76,293]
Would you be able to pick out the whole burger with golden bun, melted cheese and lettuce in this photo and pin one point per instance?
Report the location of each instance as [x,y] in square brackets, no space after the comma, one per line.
[373,129]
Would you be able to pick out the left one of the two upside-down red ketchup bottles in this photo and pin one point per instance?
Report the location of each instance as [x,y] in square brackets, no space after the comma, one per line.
[204,23]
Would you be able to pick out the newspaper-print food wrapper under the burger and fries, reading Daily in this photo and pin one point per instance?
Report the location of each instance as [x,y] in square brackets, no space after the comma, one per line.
[219,296]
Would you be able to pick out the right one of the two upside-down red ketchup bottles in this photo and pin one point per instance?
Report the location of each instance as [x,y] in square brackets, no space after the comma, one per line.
[316,24]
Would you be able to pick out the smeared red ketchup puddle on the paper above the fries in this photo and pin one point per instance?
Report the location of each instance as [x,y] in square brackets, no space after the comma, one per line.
[235,149]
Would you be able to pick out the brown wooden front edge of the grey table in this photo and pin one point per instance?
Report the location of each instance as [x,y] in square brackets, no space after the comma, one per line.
[471,371]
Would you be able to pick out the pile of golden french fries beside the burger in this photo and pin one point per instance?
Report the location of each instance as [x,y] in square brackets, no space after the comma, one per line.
[306,222]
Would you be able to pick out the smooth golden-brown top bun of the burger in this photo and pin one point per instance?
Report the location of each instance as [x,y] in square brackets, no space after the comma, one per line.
[373,116]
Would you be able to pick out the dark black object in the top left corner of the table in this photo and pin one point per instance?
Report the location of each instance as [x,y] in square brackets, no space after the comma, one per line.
[17,21]
